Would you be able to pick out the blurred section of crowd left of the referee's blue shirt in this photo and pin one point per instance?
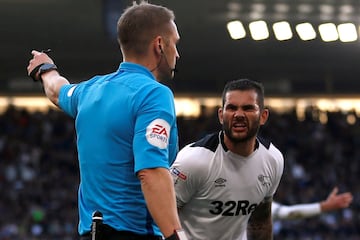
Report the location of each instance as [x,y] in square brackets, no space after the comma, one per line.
[38,176]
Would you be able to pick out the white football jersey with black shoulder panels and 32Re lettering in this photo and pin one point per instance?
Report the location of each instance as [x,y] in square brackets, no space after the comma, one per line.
[217,190]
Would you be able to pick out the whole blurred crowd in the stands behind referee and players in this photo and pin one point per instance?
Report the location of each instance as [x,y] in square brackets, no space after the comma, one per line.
[39,171]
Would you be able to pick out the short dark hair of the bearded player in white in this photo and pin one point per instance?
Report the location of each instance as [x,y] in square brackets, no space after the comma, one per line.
[243,85]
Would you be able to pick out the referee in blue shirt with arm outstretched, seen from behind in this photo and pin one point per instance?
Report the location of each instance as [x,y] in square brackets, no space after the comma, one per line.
[126,130]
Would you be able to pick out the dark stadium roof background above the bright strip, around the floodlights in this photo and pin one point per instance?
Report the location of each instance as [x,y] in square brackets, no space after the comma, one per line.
[80,33]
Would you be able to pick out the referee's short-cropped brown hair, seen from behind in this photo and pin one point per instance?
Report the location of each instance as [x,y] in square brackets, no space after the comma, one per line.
[140,24]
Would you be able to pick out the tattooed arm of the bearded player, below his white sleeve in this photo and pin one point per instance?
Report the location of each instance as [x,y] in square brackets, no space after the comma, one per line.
[260,223]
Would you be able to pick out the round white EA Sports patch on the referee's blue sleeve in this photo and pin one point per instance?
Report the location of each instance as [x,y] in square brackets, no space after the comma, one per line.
[157,133]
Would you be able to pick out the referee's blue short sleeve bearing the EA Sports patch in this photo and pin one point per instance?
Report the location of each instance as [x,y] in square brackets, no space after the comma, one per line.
[155,137]
